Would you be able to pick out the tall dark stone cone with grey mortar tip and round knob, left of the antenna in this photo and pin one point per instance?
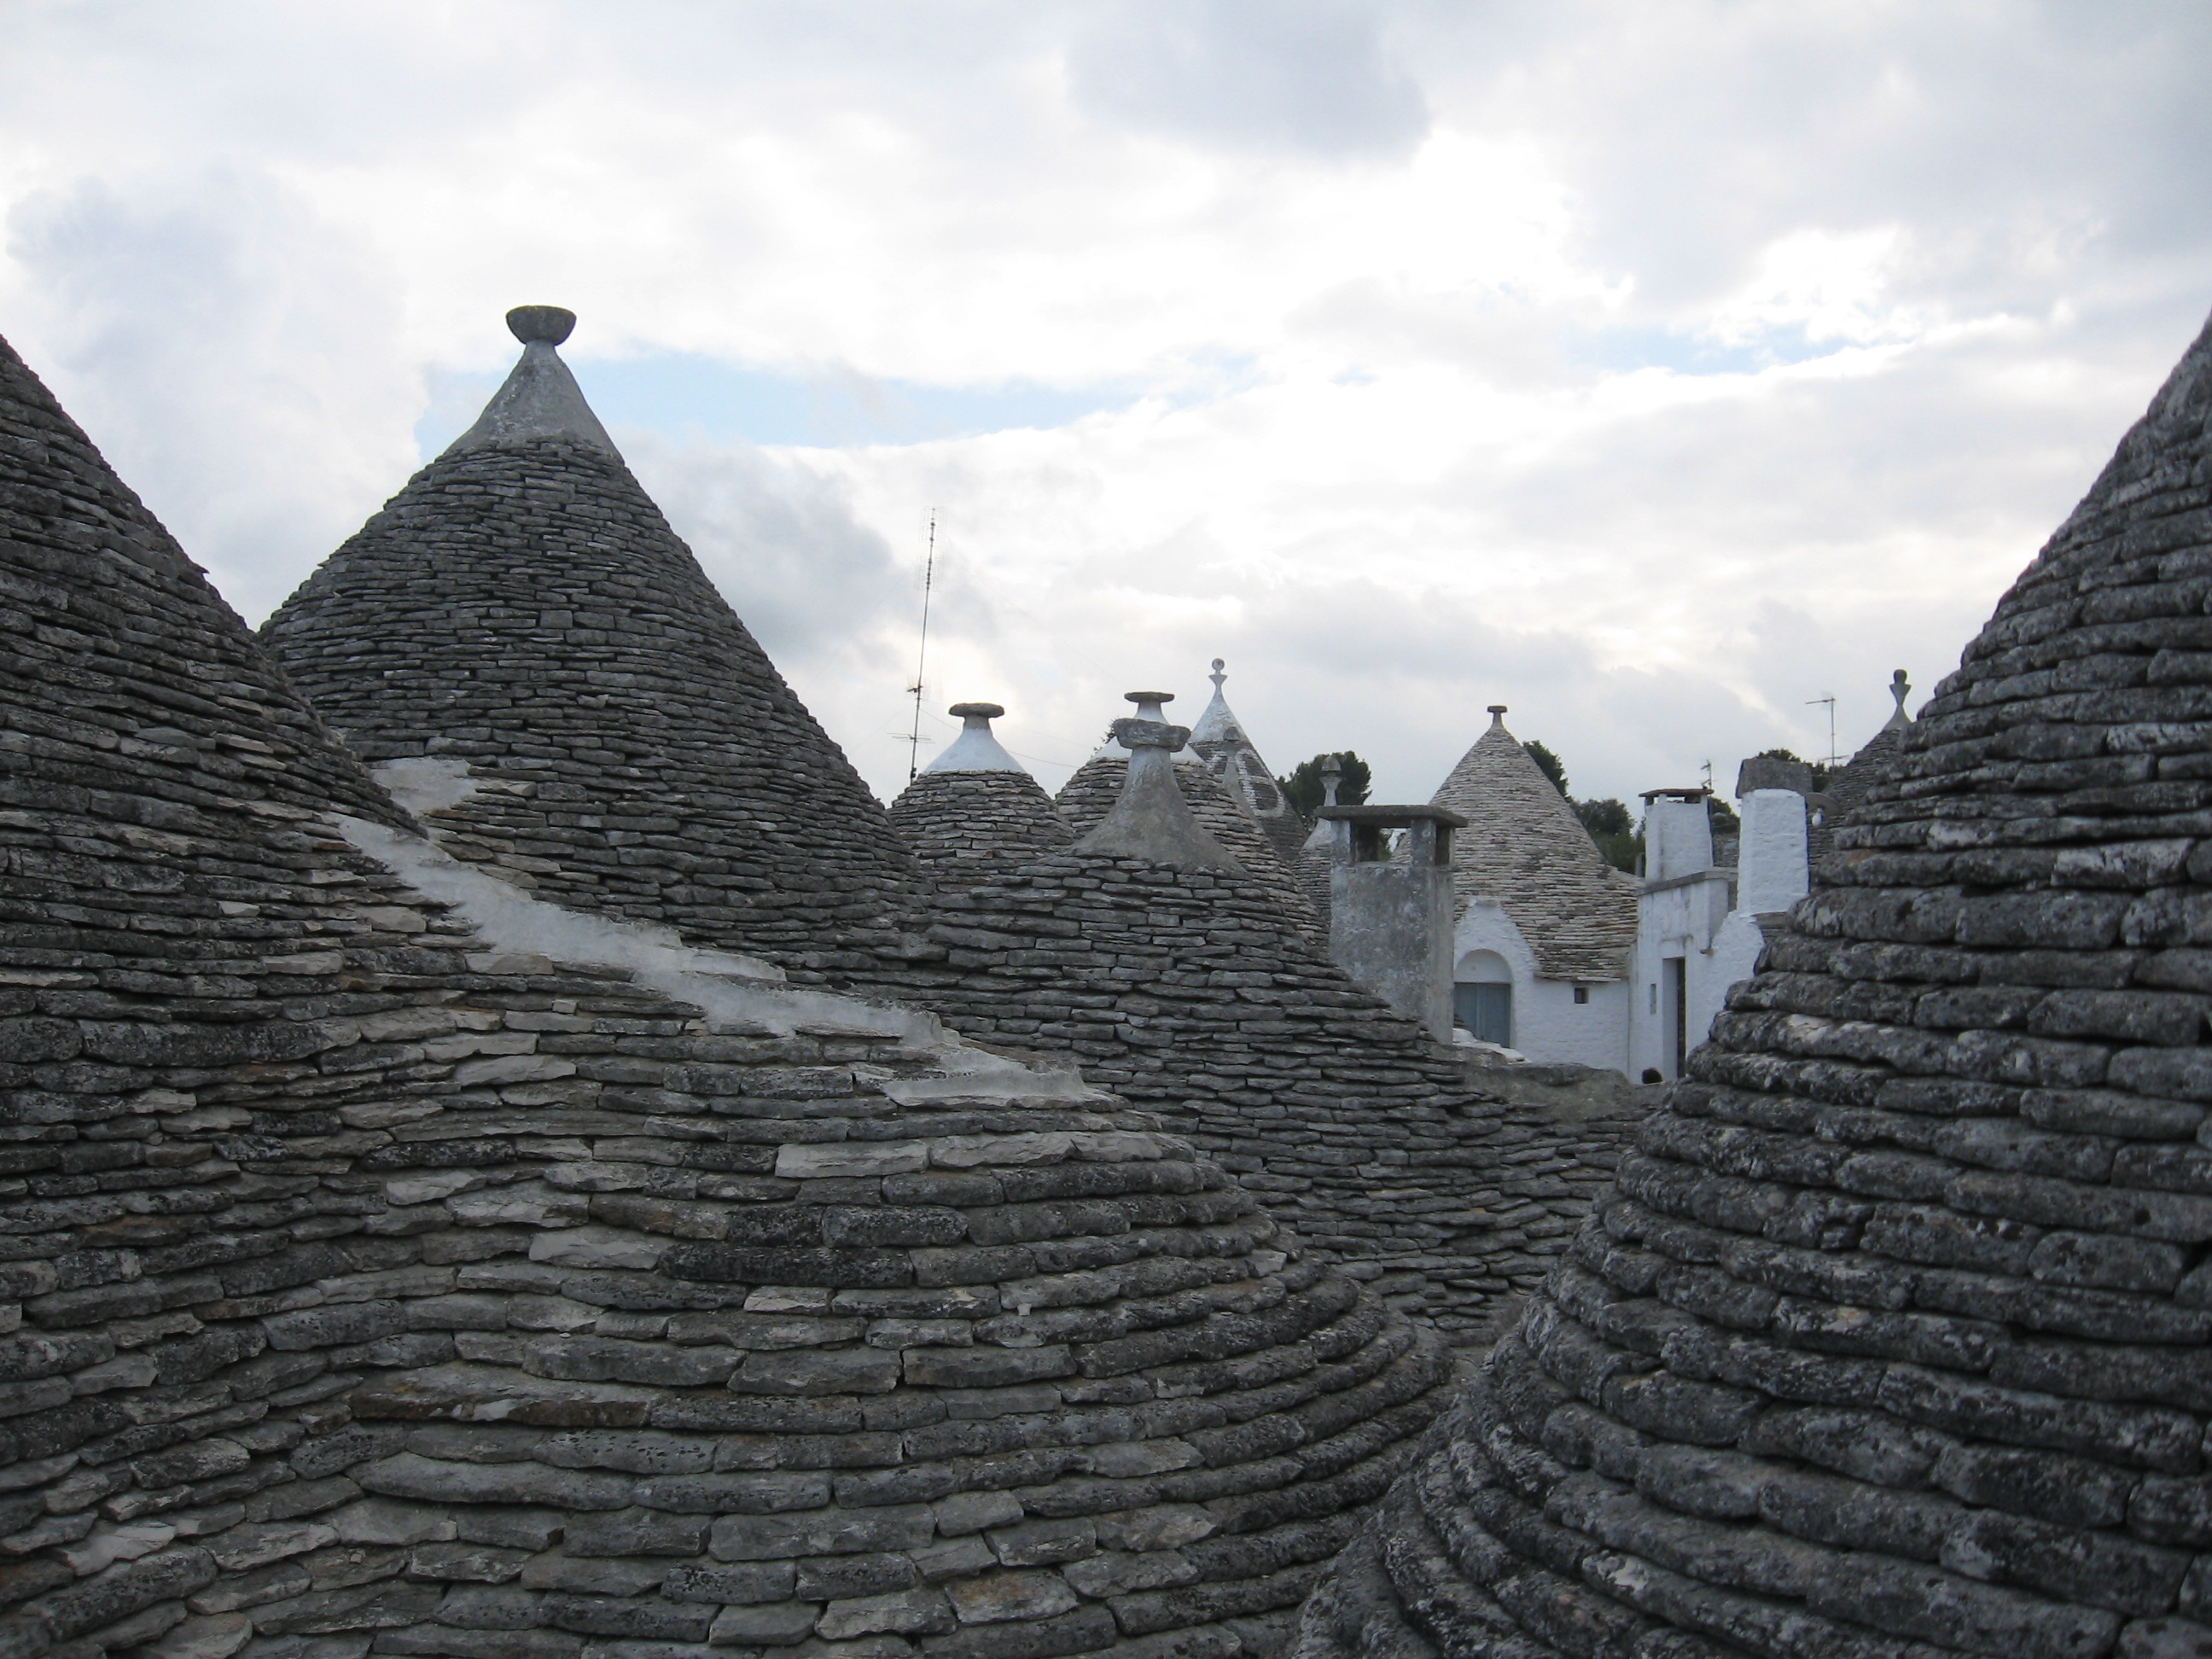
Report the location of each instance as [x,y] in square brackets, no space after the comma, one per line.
[532,658]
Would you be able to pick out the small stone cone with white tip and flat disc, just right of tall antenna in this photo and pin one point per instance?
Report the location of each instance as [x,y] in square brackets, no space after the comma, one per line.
[977,813]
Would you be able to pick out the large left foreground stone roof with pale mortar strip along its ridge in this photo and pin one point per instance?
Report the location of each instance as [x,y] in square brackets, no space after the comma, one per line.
[393,1255]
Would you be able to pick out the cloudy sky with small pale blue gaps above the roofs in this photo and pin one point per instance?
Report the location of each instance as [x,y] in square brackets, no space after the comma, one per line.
[1651,368]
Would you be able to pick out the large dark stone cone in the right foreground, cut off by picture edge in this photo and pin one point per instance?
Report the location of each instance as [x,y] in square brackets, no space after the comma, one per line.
[1892,1337]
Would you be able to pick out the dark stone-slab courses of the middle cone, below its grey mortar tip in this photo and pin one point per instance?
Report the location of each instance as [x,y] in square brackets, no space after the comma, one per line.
[1193,994]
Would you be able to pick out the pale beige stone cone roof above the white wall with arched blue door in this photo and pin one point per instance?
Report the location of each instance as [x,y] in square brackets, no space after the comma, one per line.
[1527,851]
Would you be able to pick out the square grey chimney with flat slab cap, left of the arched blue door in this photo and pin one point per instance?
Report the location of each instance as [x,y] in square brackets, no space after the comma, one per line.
[1390,919]
